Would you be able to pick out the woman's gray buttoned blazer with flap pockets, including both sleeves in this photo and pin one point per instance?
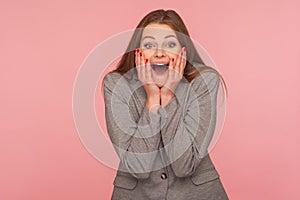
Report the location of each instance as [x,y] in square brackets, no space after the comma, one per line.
[164,155]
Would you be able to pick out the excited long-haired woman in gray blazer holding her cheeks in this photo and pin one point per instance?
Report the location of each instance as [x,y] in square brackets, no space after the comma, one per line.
[160,108]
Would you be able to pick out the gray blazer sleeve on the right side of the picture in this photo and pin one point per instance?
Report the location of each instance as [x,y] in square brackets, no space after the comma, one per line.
[188,129]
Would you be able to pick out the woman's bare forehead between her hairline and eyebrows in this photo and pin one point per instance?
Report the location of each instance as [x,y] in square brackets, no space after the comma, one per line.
[158,31]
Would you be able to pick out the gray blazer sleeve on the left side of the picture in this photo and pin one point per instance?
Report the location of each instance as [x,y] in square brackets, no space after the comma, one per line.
[135,142]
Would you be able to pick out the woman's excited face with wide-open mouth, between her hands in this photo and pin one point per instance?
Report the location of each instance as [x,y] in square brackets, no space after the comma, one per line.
[159,44]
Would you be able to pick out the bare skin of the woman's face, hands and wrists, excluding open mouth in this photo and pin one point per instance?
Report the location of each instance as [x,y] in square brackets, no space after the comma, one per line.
[161,48]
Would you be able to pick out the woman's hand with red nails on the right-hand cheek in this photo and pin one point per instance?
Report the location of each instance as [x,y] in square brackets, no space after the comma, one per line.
[176,69]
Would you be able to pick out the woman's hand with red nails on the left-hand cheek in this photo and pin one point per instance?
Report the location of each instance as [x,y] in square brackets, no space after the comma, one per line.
[145,76]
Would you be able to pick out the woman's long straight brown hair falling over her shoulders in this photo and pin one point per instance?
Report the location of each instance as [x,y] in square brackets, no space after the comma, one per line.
[172,19]
